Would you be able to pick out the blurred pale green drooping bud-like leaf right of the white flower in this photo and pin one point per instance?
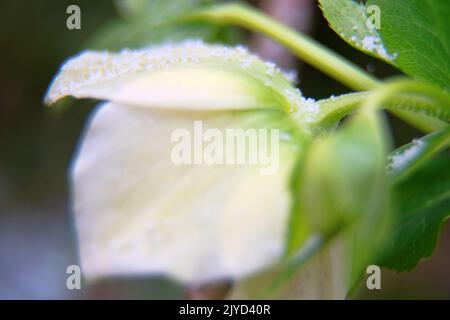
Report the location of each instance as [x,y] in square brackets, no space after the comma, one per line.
[343,188]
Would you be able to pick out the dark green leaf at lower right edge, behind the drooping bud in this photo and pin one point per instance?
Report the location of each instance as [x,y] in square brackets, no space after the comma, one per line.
[423,204]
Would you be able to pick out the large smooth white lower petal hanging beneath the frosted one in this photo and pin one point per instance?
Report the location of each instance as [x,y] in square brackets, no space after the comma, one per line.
[138,213]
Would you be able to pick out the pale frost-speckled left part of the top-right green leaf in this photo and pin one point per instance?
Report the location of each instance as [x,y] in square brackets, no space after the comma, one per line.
[349,20]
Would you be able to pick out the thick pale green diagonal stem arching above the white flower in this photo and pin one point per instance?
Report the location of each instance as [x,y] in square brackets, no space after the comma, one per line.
[304,47]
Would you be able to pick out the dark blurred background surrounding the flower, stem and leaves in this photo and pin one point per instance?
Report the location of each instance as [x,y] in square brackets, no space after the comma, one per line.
[37,240]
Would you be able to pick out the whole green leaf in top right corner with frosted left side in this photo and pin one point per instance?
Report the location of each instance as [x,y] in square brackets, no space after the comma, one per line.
[414,34]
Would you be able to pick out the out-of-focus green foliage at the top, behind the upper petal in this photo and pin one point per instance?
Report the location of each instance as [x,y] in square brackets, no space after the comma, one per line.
[145,22]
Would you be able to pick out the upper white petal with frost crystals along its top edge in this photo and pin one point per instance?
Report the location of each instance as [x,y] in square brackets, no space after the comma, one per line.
[190,75]
